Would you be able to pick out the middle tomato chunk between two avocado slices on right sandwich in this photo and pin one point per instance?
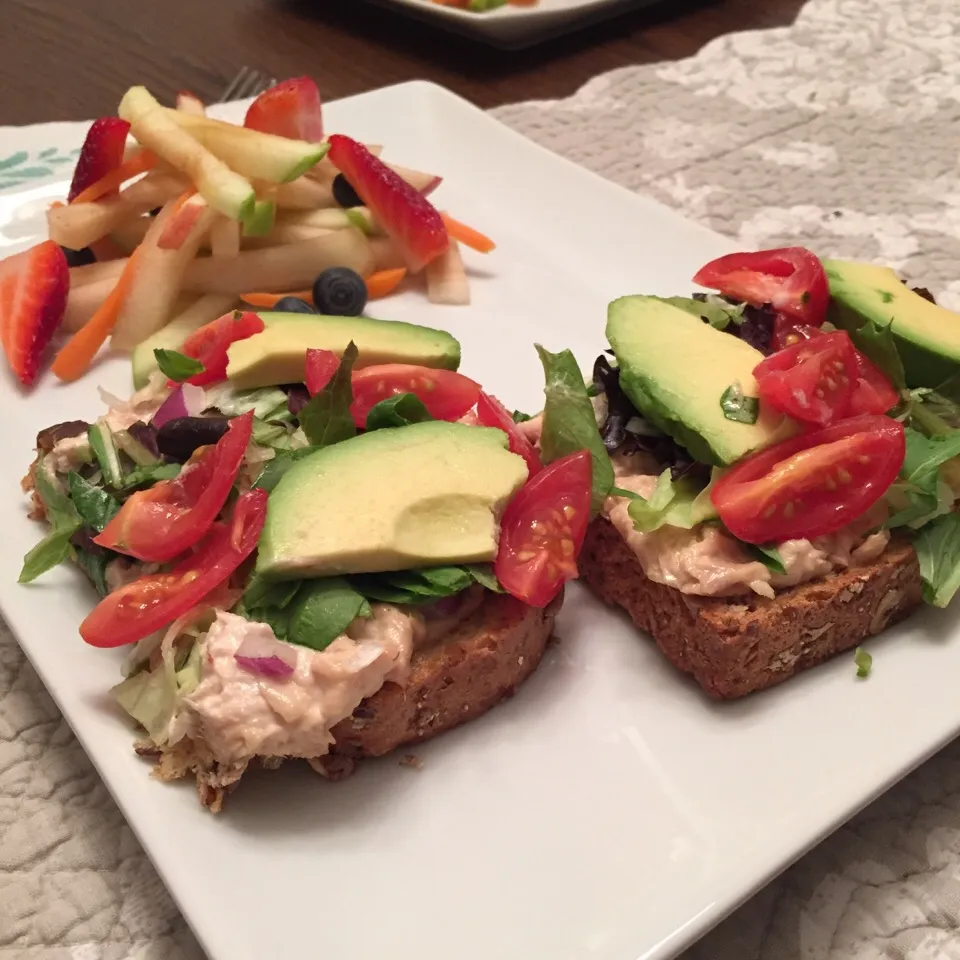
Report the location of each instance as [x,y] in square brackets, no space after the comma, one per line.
[811,381]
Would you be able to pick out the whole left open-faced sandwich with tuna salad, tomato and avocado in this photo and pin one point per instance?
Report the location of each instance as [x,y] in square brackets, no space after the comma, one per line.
[315,553]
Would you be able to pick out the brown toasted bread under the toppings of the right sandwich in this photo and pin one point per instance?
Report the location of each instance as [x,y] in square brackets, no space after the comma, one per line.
[735,646]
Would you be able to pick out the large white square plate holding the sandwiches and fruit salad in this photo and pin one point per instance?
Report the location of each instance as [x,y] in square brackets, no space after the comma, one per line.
[609,810]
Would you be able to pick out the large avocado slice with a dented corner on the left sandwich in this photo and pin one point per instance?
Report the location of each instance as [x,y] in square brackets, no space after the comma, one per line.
[422,495]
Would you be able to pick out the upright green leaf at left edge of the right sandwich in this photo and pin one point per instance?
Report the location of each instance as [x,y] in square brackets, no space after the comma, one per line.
[569,421]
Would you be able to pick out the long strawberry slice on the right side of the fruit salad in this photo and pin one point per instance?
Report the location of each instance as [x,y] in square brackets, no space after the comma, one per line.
[406,215]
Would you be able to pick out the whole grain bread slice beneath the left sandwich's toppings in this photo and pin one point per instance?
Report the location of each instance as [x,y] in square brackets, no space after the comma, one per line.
[482,661]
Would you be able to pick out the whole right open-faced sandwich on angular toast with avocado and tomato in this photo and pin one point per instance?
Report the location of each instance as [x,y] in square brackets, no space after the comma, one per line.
[784,465]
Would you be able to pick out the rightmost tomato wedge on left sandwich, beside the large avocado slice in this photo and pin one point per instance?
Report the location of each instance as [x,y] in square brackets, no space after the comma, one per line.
[543,529]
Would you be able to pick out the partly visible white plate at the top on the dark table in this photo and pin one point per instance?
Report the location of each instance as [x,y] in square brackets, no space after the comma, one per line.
[516,27]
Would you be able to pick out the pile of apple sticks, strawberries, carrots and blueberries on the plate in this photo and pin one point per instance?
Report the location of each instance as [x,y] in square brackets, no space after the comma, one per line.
[174,219]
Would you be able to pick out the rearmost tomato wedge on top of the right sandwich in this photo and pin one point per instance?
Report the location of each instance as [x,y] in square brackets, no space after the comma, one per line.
[791,279]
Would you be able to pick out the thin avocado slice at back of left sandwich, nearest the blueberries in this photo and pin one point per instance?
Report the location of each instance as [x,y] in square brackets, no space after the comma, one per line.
[278,354]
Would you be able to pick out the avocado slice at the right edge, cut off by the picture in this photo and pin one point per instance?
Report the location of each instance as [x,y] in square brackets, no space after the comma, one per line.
[927,336]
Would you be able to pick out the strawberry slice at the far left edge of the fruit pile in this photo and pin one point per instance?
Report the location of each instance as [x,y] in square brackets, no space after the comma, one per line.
[33,296]
